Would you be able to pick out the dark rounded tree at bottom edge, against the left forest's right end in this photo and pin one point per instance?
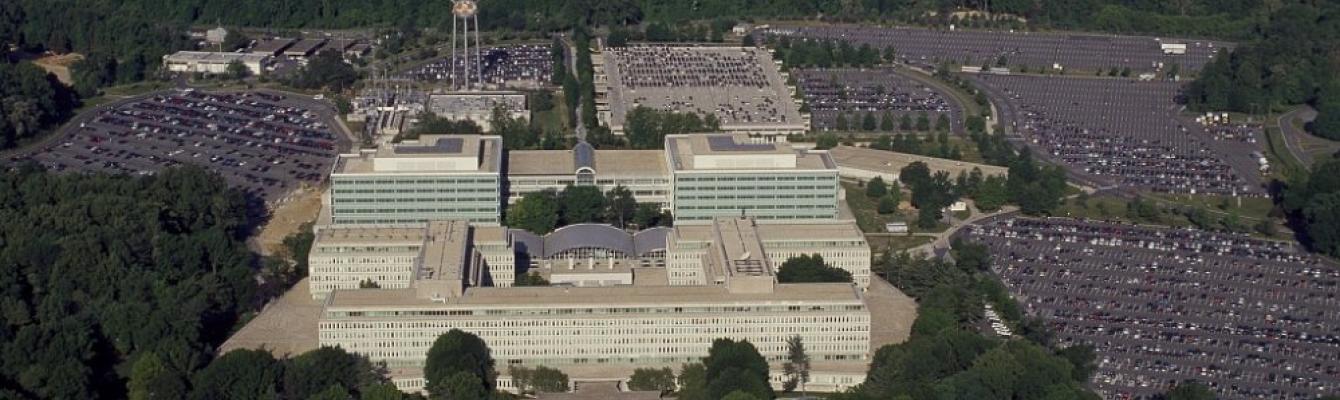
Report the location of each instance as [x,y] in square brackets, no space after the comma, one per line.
[245,374]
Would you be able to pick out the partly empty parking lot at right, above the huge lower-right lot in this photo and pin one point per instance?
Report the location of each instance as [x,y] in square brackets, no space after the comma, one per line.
[1124,132]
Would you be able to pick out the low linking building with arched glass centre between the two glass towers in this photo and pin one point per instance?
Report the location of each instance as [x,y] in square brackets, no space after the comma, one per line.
[643,172]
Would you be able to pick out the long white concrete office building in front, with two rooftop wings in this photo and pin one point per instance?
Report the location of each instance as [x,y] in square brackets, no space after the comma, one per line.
[606,327]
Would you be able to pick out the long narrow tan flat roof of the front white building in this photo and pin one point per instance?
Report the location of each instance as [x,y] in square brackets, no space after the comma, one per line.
[551,298]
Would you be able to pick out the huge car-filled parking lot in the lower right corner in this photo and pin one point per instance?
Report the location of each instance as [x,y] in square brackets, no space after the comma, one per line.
[1248,318]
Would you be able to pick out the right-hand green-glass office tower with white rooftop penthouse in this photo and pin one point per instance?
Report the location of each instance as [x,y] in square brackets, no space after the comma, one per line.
[732,176]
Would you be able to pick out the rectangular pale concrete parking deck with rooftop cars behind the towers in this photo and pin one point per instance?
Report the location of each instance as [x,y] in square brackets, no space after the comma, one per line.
[742,86]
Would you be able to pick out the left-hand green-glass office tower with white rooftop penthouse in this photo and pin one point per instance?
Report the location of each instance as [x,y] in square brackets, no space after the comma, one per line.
[435,179]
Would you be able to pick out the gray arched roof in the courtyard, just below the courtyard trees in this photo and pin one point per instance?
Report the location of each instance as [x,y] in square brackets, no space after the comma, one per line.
[582,236]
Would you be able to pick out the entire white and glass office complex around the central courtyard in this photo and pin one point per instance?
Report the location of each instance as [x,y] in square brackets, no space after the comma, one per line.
[411,247]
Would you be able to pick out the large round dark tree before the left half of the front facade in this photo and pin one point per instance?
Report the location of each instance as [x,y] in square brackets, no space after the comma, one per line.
[454,354]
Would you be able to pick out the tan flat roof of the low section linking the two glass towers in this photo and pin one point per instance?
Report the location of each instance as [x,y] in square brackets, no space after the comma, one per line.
[608,163]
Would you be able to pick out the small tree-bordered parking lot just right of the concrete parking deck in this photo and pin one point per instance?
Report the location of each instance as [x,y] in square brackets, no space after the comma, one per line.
[833,92]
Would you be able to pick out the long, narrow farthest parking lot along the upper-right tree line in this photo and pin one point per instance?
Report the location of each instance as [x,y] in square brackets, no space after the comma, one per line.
[928,47]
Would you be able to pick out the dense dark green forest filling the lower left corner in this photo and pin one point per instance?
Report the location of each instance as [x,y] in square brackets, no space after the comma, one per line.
[101,272]
